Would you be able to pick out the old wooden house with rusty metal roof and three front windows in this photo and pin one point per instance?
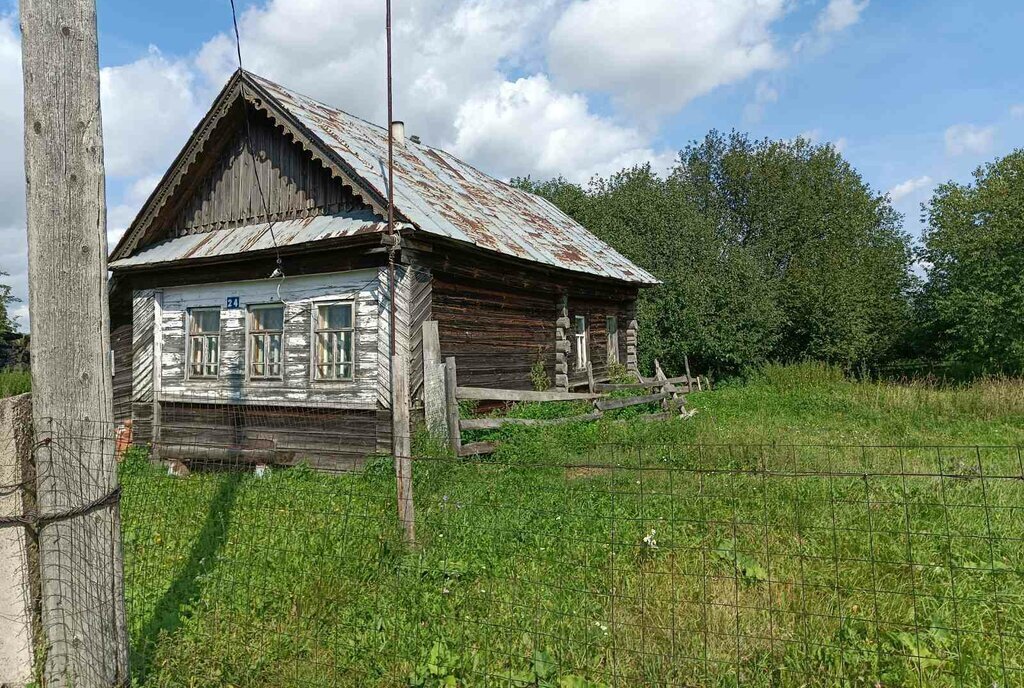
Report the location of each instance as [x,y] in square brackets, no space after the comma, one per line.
[214,347]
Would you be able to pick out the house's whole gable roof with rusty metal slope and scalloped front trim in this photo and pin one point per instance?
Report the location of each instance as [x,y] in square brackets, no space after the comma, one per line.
[435,192]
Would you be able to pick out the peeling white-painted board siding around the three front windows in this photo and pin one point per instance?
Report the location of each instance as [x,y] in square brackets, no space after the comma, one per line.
[296,388]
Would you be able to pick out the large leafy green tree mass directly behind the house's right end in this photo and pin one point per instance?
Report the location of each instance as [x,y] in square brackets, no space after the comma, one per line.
[769,250]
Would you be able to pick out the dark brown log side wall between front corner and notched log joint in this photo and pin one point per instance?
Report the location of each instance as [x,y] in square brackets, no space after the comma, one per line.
[496,333]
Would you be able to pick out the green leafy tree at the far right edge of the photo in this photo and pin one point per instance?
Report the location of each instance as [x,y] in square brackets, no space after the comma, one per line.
[974,249]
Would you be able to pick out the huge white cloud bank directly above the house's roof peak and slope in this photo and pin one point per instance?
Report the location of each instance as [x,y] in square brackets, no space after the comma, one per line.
[450,84]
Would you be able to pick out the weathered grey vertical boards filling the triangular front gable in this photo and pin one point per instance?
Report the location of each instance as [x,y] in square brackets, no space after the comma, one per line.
[225,194]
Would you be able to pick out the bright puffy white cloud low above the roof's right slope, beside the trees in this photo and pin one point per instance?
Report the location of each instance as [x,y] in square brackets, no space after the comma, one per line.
[566,138]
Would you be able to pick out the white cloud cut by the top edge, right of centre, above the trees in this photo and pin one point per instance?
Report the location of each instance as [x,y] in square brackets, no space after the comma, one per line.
[657,56]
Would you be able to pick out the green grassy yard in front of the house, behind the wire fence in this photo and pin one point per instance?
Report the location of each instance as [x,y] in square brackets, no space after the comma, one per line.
[844,568]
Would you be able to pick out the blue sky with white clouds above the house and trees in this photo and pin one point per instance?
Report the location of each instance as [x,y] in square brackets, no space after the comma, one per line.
[913,93]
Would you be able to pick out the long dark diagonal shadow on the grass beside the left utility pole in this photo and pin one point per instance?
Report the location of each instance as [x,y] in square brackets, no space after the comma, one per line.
[175,608]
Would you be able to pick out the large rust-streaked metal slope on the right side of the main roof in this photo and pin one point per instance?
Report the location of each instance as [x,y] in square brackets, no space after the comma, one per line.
[441,195]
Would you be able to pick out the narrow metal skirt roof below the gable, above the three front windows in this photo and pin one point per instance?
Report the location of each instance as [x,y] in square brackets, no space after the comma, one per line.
[253,238]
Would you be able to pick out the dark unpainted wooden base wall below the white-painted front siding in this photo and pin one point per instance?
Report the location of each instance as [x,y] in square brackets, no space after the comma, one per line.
[330,440]
